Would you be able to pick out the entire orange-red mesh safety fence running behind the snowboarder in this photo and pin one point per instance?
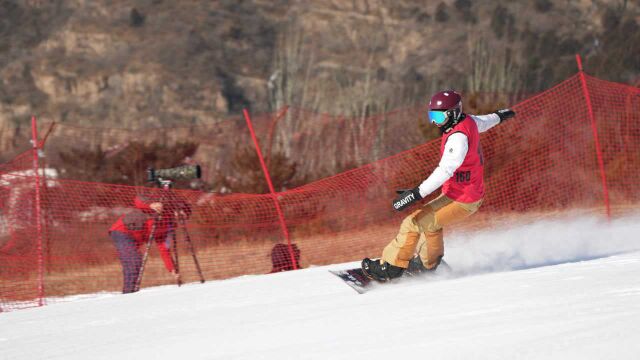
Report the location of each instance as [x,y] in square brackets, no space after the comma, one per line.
[544,160]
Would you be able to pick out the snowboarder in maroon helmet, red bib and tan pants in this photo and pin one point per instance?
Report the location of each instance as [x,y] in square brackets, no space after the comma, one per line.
[460,173]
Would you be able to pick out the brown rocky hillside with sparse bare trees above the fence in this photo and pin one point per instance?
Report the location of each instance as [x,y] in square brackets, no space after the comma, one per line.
[147,63]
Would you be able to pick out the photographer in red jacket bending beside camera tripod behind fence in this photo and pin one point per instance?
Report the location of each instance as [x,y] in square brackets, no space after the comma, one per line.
[131,231]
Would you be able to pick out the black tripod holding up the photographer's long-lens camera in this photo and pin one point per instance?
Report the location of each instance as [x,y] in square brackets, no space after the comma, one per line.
[179,219]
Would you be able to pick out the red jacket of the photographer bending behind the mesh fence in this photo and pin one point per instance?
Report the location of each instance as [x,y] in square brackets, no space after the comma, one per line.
[138,224]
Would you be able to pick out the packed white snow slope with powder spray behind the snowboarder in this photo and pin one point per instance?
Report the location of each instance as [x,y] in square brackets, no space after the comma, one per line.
[545,290]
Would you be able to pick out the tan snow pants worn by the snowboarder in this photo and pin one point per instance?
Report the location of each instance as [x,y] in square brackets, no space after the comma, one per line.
[429,220]
